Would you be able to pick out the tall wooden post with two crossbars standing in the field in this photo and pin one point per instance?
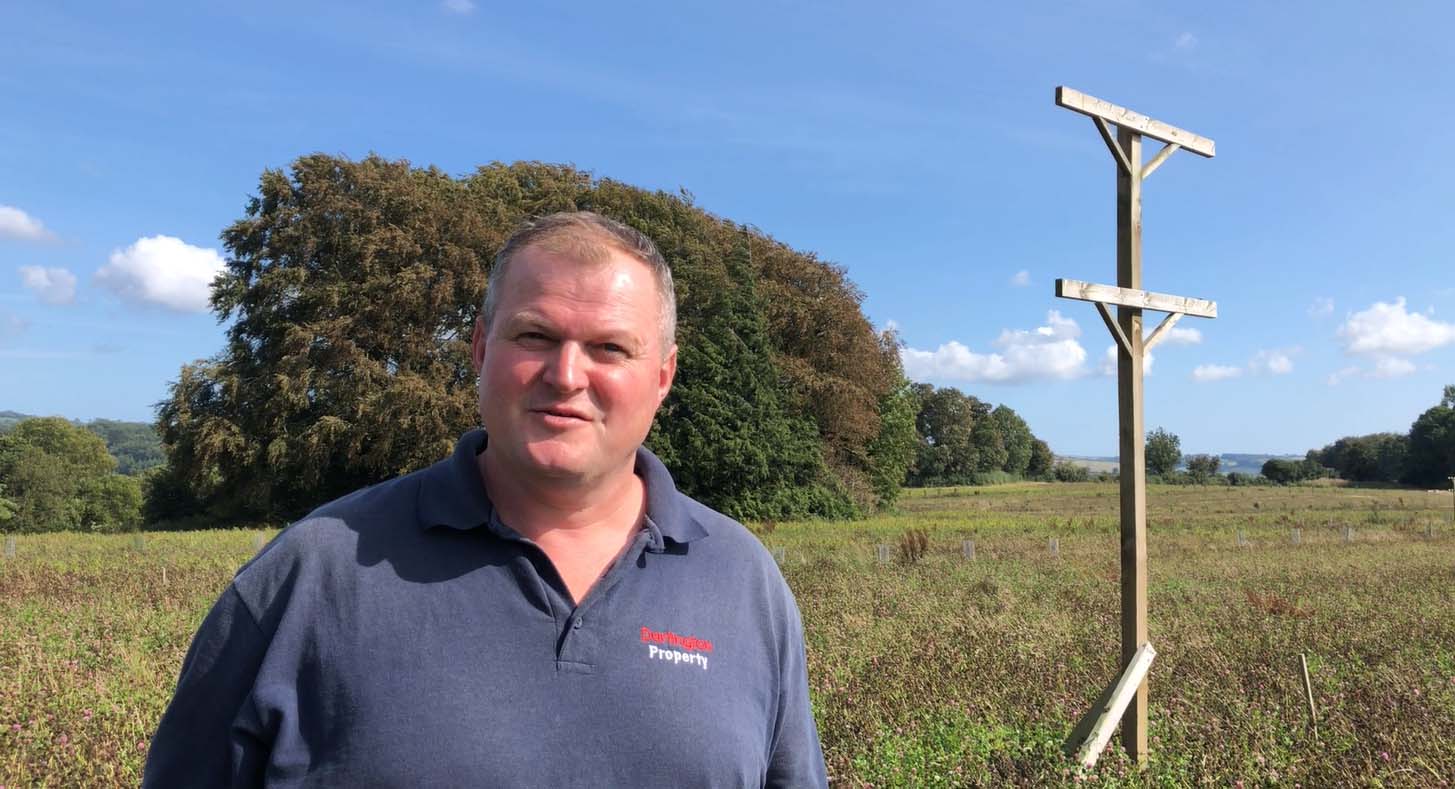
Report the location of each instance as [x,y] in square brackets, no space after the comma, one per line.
[1127,330]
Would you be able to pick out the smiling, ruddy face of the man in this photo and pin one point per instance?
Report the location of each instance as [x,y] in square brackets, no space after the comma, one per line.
[573,369]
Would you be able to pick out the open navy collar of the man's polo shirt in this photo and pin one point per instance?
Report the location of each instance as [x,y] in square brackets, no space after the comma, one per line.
[453,494]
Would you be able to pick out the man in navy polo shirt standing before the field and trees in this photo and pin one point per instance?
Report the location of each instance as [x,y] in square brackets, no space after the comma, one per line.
[543,609]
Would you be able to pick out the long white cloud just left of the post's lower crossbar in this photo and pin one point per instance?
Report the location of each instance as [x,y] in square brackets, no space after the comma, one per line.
[1044,353]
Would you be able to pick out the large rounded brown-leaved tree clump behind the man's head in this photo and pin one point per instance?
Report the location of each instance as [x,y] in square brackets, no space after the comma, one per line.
[350,293]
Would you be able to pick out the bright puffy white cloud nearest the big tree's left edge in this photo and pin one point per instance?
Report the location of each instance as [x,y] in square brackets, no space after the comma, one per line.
[164,271]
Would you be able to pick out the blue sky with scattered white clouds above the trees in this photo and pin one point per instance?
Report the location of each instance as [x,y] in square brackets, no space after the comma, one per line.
[914,145]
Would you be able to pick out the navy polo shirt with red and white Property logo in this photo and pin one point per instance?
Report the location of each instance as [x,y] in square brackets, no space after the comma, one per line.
[405,637]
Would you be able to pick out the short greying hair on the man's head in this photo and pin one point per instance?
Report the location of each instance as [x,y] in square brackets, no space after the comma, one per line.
[589,238]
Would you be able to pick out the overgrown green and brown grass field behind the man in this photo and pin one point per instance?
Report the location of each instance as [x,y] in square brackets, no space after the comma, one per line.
[935,673]
